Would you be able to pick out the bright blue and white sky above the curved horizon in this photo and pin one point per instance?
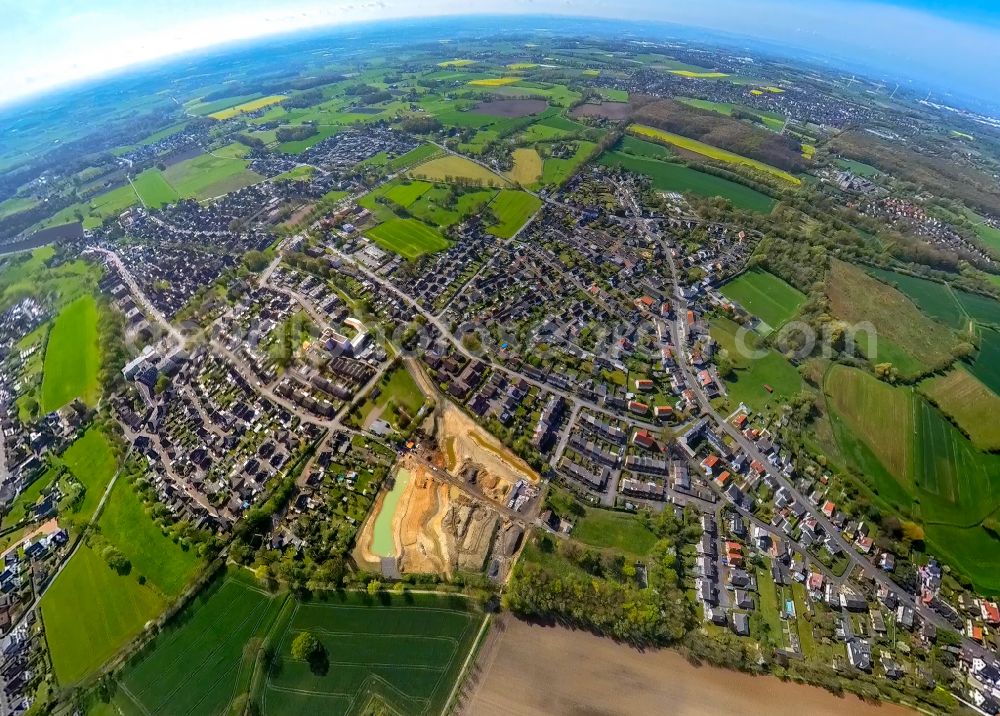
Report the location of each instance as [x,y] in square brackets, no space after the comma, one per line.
[51,43]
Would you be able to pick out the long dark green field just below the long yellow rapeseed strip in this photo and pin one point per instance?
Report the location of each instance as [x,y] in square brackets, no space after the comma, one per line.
[667,176]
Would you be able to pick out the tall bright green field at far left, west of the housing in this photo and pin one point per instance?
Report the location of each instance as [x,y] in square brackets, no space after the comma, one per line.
[72,357]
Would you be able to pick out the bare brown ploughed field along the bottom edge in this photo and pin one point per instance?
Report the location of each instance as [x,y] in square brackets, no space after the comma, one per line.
[536,670]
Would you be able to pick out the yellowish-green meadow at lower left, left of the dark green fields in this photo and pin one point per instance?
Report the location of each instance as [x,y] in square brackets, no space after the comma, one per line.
[90,612]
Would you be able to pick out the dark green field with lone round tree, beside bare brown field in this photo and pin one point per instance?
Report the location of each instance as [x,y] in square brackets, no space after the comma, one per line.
[396,654]
